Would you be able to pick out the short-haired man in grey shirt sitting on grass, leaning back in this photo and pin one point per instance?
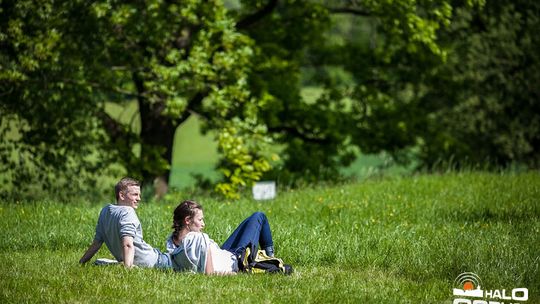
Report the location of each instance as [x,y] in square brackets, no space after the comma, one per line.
[119,227]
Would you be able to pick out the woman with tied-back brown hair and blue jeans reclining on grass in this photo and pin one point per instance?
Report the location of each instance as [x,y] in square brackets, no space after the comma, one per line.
[192,250]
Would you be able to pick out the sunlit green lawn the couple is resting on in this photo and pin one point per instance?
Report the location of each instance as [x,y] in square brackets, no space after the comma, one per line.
[393,240]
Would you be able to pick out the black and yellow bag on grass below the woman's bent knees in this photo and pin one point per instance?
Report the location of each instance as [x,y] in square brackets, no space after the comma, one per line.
[252,260]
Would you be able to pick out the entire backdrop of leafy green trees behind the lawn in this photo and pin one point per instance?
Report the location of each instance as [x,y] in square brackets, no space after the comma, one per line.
[396,76]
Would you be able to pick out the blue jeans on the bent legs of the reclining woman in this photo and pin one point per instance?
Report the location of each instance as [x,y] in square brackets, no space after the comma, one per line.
[254,230]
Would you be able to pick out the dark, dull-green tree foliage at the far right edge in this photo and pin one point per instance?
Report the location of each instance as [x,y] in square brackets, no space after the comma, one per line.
[484,101]
